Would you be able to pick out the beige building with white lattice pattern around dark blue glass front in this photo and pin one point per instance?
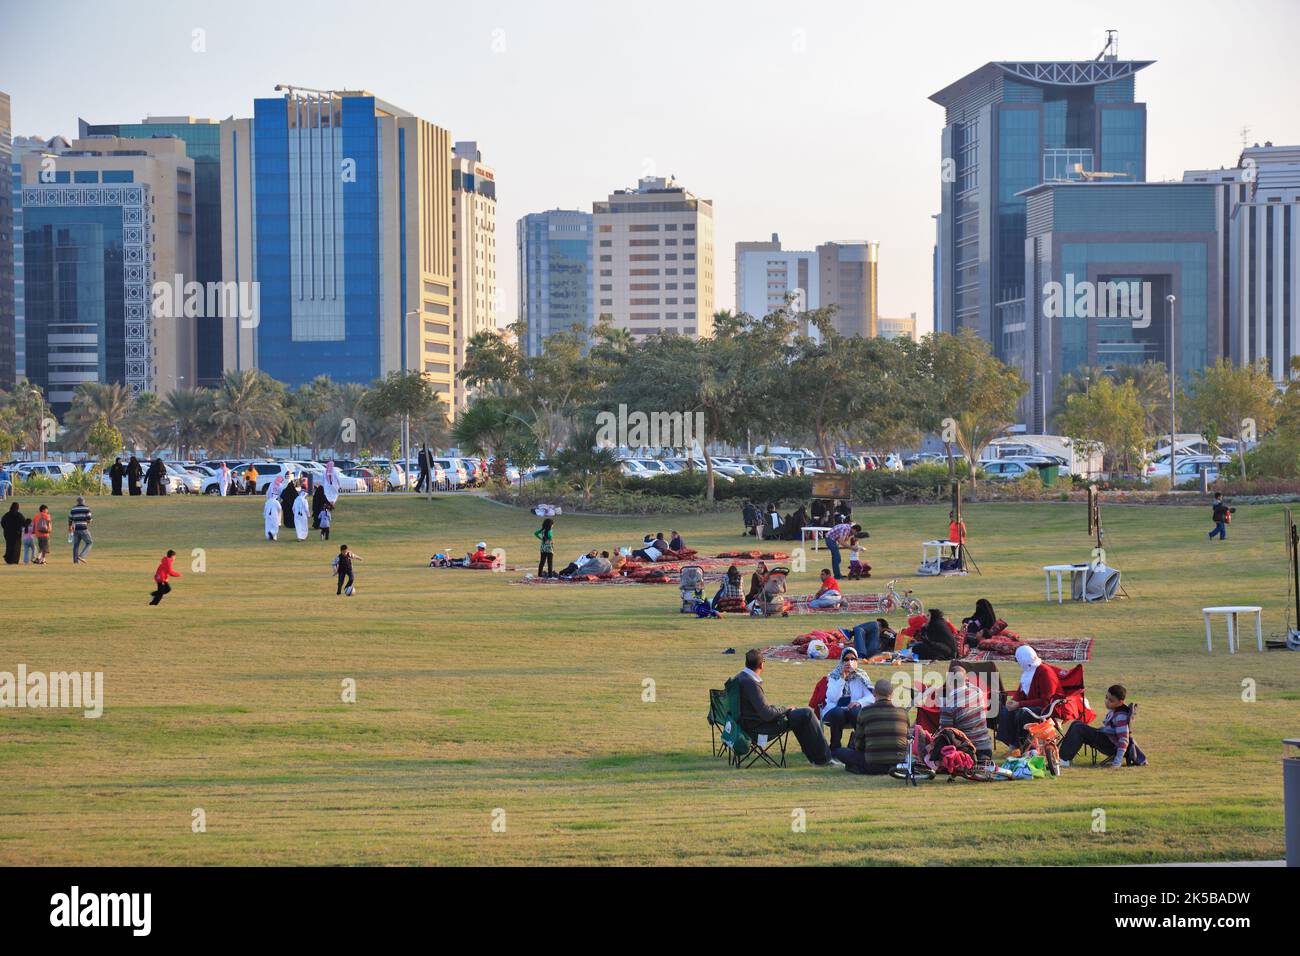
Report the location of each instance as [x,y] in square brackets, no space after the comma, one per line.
[101,223]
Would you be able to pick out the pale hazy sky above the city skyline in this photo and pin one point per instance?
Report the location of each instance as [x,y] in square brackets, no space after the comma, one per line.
[805,119]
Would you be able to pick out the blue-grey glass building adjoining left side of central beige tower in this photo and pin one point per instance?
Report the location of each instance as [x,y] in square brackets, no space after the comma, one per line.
[556,279]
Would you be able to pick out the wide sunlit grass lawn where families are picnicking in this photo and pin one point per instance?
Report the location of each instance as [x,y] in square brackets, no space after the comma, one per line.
[475,695]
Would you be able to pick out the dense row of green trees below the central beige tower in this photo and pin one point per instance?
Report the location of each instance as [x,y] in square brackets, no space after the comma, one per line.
[755,380]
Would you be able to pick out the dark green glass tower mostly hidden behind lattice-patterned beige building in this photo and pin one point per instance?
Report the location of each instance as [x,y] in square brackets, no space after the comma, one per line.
[202,141]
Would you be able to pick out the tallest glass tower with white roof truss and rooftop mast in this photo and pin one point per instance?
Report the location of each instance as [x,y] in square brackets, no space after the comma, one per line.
[1008,128]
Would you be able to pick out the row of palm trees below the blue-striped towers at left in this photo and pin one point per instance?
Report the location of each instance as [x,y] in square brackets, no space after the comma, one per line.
[248,413]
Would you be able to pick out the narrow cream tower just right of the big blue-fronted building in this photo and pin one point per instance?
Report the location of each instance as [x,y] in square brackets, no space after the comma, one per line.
[474,250]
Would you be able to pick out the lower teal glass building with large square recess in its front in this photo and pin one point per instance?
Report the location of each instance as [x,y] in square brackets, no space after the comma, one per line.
[1102,261]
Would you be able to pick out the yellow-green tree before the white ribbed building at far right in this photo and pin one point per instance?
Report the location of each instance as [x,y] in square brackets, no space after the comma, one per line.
[1233,400]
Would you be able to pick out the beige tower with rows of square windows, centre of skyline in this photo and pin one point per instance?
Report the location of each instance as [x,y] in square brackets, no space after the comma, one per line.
[655,259]
